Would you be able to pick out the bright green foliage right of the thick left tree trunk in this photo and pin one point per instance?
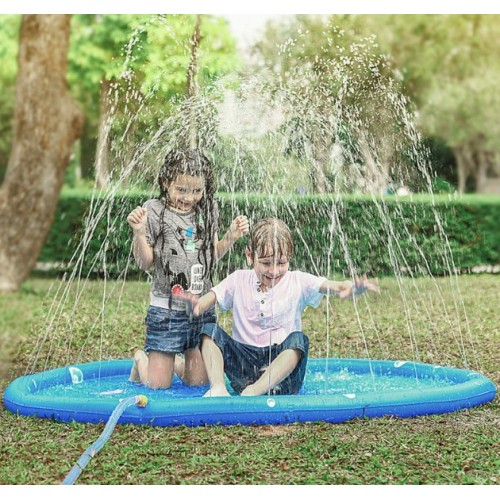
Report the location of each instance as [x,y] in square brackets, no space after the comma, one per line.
[145,61]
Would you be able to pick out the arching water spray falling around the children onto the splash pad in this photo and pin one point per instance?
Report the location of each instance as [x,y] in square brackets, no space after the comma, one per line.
[279,141]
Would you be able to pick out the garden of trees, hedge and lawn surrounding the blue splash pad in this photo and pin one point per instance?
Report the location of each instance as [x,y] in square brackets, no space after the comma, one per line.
[107,84]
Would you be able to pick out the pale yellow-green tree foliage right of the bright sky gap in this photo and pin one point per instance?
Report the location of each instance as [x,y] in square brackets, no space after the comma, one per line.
[447,65]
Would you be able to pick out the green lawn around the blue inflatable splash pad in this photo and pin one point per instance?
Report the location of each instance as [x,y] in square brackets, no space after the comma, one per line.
[445,321]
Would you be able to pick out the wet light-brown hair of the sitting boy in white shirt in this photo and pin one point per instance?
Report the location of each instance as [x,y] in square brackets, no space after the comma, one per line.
[270,236]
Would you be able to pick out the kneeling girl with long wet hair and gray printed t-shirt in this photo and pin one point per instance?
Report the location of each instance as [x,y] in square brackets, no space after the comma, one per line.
[177,233]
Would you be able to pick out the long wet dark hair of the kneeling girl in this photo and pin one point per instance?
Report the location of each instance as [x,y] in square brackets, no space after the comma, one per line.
[193,162]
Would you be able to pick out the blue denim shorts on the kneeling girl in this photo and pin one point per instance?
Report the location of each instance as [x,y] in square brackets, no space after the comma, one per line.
[173,331]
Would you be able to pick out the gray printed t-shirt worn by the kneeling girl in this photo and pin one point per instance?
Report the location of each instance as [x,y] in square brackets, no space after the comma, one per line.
[178,255]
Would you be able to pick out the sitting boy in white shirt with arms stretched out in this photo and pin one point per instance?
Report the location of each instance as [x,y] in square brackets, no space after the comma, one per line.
[267,352]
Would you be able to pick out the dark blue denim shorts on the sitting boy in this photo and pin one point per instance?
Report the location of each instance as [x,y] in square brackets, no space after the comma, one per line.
[244,364]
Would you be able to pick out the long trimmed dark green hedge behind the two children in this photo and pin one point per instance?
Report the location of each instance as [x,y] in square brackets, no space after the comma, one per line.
[383,236]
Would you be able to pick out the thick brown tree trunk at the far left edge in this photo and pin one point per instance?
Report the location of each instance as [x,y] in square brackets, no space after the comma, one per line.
[47,123]
